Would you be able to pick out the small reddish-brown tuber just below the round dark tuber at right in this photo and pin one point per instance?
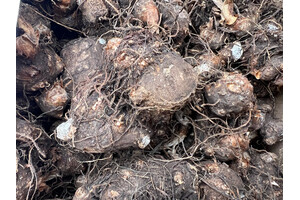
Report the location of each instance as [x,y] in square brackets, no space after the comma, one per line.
[228,147]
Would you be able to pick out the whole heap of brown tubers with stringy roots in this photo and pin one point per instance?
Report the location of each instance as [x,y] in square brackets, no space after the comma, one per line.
[149,99]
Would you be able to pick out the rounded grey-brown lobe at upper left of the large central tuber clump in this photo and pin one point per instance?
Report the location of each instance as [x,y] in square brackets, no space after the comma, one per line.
[83,58]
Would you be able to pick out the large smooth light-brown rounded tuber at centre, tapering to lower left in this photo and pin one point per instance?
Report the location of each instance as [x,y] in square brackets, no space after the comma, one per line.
[156,86]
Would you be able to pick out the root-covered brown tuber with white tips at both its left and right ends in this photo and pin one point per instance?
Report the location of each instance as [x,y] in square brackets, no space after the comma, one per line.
[94,131]
